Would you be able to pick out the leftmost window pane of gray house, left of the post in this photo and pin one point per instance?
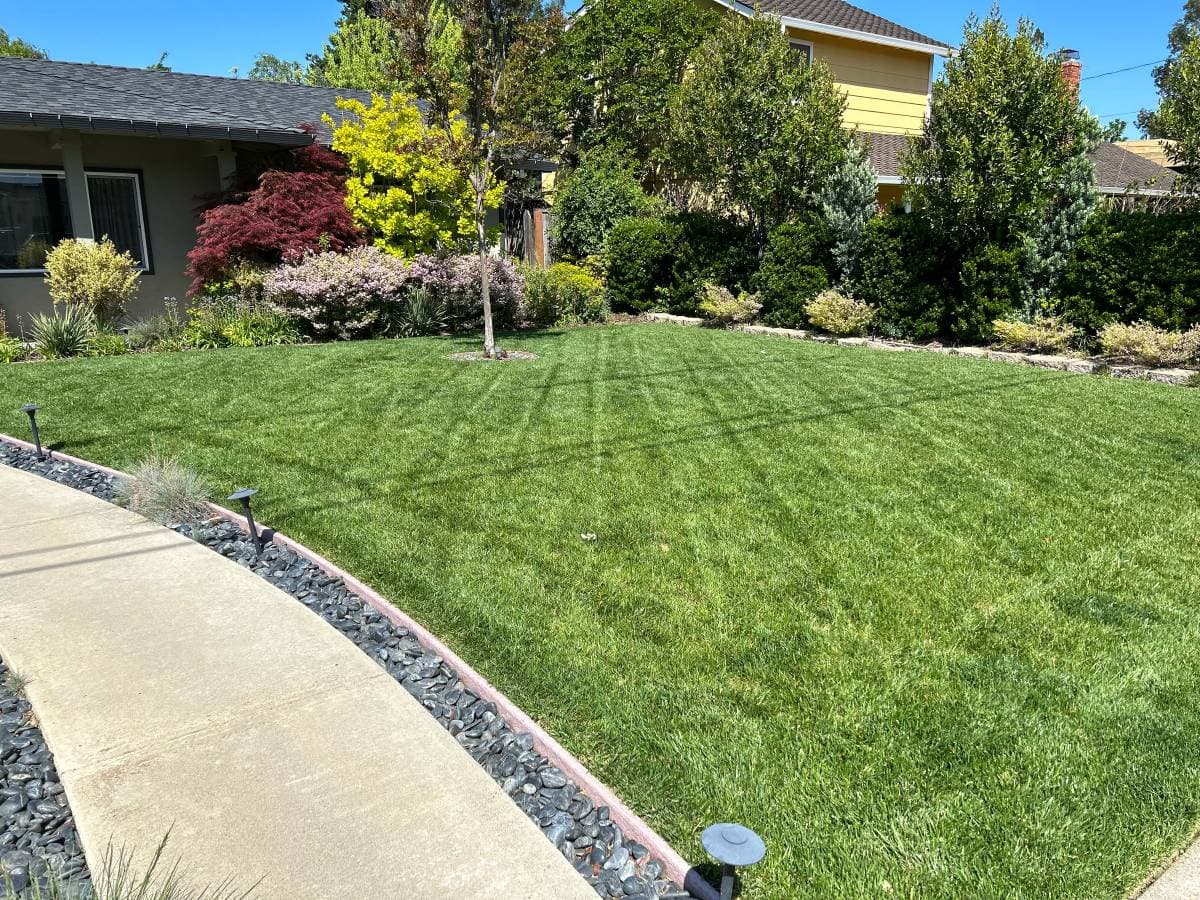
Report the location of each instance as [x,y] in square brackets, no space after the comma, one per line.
[34,217]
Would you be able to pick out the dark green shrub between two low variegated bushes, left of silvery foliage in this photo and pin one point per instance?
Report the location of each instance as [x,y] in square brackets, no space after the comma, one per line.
[795,269]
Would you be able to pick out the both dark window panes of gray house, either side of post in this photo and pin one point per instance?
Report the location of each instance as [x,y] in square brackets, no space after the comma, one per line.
[35,215]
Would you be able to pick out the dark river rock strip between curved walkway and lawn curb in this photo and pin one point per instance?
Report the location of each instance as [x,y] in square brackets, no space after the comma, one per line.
[614,863]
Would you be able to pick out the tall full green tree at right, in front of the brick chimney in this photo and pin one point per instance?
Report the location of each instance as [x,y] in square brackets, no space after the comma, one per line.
[1001,175]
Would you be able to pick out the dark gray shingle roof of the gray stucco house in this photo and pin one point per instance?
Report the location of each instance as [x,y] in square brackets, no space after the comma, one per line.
[143,101]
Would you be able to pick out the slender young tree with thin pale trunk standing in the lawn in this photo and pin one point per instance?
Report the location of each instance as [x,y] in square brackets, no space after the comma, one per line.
[465,80]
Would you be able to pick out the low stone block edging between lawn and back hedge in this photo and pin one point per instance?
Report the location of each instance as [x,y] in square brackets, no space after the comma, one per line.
[1183,377]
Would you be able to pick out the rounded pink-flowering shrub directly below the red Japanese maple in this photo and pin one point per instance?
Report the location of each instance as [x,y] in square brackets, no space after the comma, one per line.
[339,295]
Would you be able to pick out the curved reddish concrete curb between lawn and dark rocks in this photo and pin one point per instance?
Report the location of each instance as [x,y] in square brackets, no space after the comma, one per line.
[674,865]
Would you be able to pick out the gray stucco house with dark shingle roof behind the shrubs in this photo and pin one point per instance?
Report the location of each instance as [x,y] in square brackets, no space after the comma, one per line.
[89,151]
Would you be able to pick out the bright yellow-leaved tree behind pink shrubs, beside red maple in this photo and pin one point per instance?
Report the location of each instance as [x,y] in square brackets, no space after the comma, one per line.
[406,189]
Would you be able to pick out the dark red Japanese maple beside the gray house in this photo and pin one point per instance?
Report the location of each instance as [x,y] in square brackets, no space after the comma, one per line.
[289,213]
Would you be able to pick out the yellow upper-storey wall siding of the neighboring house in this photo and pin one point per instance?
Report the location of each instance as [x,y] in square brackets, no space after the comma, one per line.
[887,88]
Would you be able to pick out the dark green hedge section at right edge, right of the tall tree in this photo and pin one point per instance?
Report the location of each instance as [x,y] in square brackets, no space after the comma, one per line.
[1135,267]
